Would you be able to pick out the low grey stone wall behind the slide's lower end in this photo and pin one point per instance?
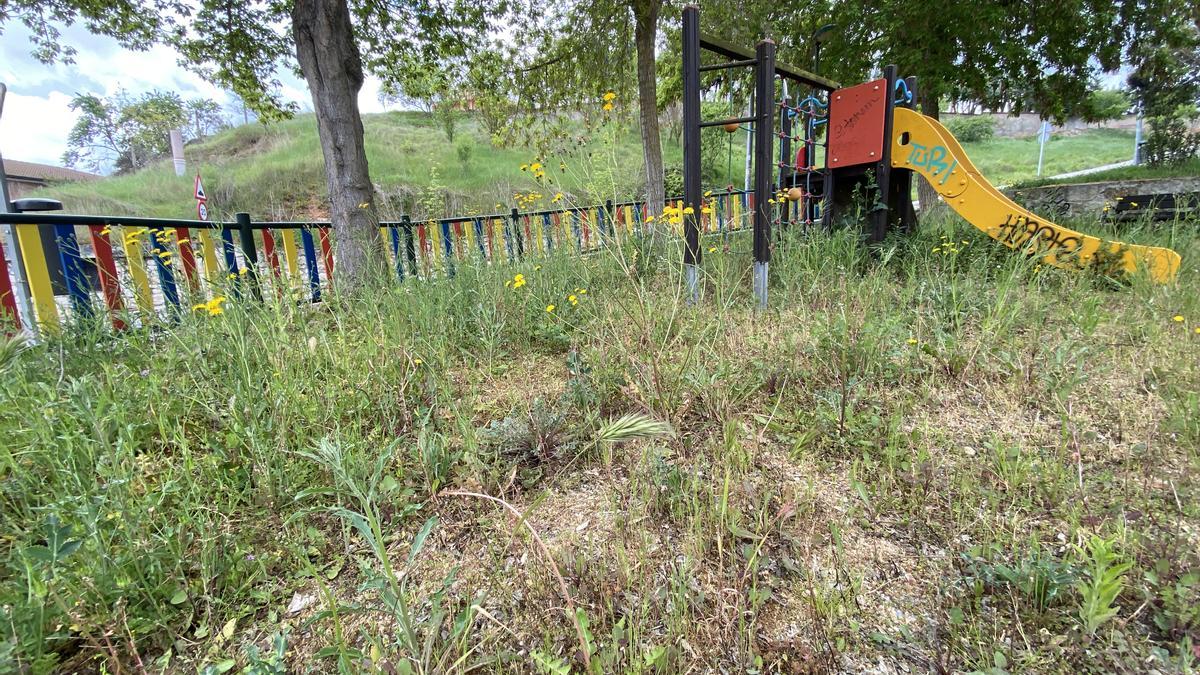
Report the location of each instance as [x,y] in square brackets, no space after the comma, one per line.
[1090,199]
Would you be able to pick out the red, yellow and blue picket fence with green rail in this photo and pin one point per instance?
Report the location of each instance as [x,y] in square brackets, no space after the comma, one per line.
[143,270]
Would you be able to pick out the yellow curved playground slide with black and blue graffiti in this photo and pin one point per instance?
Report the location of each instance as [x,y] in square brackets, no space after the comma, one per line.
[925,146]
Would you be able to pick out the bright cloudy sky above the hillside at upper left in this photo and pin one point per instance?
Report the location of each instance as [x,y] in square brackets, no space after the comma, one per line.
[38,117]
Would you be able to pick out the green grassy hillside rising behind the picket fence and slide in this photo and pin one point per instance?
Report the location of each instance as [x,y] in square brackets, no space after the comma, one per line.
[277,172]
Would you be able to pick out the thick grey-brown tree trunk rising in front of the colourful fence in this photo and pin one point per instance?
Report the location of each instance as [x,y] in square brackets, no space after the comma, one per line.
[333,68]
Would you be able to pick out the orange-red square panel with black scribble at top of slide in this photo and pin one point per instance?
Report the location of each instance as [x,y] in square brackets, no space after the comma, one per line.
[856,124]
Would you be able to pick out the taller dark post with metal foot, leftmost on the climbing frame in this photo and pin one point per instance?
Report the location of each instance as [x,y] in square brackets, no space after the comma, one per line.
[692,186]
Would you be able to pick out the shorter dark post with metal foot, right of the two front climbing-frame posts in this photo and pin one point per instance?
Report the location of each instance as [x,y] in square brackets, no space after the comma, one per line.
[764,165]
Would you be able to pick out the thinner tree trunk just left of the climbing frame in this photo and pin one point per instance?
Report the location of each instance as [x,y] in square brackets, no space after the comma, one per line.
[646,22]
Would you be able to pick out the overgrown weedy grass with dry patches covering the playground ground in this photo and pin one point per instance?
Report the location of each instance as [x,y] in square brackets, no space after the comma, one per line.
[951,462]
